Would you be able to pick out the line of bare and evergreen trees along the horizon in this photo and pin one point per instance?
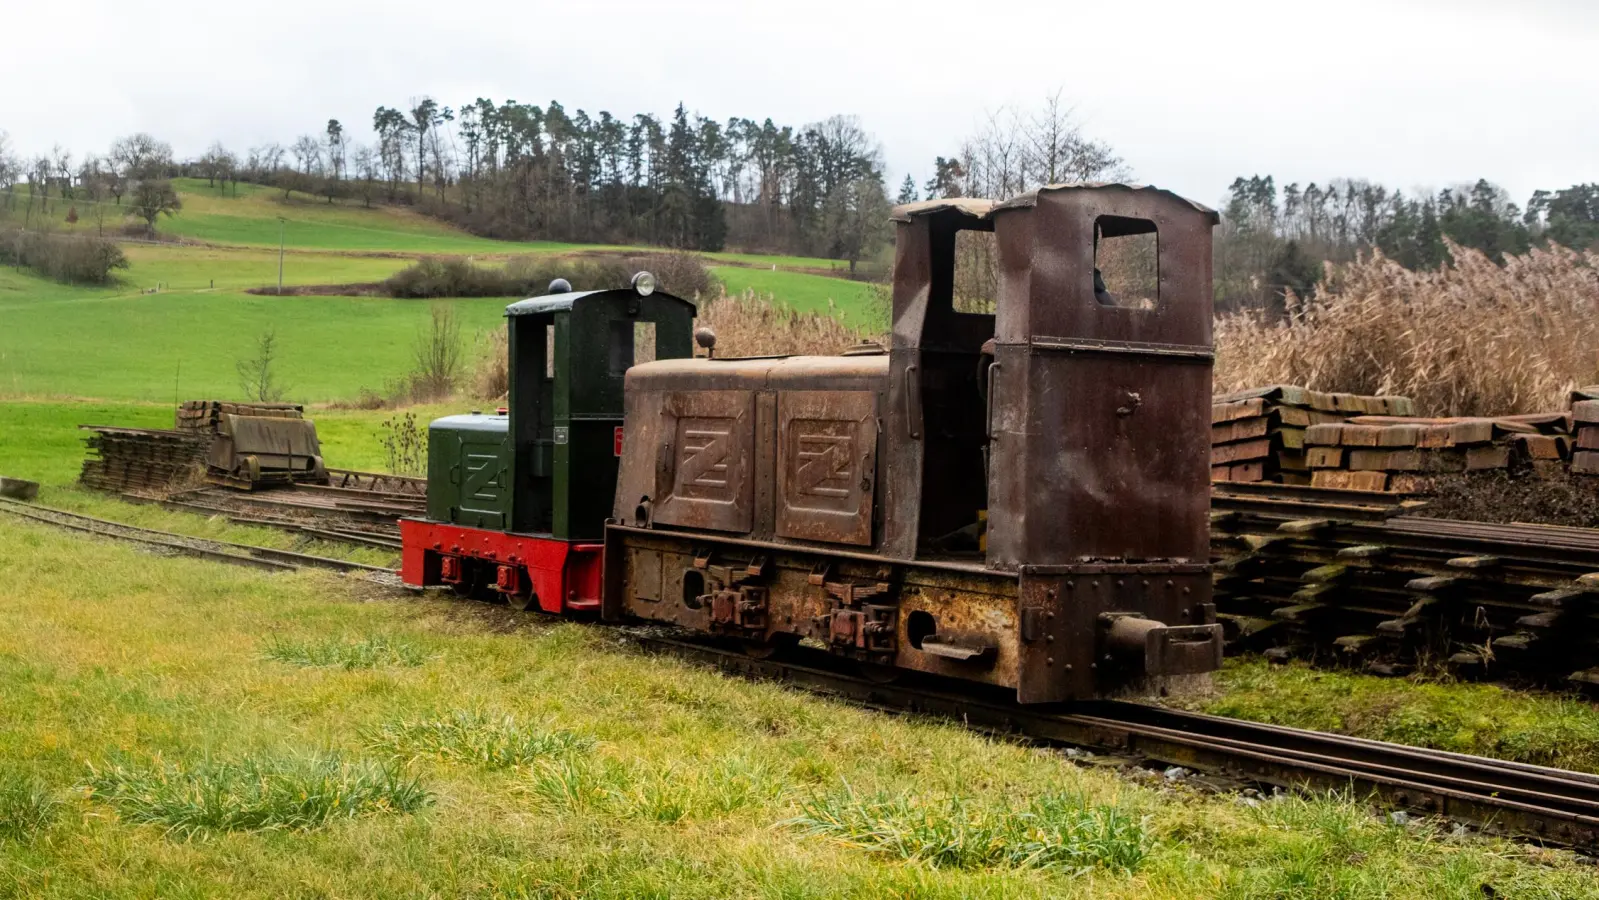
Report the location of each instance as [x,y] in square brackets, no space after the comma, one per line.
[530,172]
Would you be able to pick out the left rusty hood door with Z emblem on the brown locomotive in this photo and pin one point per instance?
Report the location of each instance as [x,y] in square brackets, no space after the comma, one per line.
[703,468]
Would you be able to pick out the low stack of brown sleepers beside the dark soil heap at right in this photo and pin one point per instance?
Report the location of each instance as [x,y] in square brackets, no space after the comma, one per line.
[1376,453]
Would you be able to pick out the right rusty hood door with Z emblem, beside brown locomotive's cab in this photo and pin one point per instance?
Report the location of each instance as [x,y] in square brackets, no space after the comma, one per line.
[827,445]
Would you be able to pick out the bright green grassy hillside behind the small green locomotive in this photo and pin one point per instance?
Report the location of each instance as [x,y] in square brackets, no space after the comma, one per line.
[181,319]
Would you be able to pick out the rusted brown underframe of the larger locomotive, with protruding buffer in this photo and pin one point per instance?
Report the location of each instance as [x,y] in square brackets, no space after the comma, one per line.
[1061,634]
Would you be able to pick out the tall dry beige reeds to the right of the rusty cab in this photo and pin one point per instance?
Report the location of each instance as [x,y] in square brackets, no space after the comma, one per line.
[1467,340]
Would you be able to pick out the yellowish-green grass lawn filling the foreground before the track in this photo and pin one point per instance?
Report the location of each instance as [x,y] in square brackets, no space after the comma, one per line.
[183,730]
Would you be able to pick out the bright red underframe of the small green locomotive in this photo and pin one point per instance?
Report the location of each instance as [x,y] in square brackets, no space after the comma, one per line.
[527,571]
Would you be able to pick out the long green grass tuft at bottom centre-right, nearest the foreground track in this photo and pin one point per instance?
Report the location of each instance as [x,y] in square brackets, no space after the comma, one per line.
[1056,832]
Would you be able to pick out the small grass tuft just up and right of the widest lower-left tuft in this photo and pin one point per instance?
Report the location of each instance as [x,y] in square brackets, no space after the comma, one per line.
[474,738]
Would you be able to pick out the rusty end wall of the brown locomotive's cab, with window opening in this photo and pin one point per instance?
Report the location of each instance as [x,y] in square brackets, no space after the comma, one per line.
[1099,410]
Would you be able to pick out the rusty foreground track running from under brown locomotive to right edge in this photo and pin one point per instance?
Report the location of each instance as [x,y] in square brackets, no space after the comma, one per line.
[1509,798]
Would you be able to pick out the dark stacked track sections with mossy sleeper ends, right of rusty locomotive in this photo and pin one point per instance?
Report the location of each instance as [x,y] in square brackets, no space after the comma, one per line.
[1357,576]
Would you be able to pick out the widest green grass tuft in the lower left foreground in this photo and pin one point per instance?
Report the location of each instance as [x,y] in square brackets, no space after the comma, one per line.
[255,794]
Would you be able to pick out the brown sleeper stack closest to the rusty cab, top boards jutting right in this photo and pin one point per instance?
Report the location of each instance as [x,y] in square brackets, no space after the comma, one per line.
[1259,434]
